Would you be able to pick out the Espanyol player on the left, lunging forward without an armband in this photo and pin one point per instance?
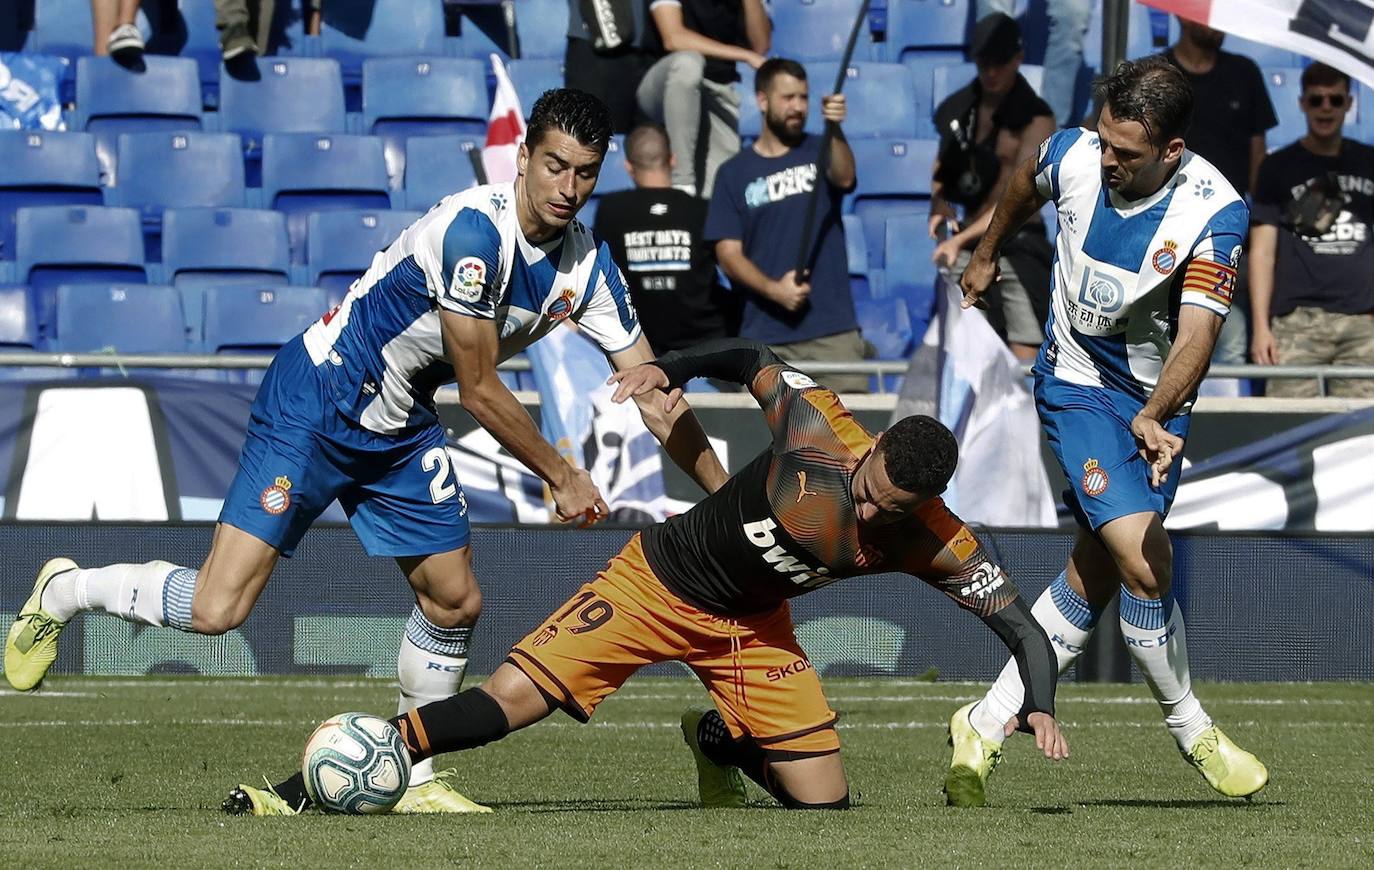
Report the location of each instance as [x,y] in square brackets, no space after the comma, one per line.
[347,413]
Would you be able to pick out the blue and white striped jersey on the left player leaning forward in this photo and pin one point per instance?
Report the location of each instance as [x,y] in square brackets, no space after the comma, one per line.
[381,353]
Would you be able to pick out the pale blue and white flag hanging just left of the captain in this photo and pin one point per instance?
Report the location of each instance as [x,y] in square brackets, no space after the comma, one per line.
[964,376]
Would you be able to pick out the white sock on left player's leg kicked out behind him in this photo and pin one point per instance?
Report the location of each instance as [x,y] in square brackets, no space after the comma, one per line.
[153,593]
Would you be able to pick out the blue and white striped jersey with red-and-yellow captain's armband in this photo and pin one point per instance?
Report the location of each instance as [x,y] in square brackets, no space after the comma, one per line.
[1125,267]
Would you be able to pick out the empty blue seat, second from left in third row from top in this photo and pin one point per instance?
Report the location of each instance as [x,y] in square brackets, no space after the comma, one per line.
[171,171]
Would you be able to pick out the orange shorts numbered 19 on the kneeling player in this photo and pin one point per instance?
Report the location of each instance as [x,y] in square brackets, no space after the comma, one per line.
[626,619]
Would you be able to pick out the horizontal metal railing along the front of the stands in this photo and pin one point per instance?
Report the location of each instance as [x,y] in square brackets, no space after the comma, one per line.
[39,359]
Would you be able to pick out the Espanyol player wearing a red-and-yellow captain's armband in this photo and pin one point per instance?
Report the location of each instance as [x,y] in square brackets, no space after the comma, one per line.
[1145,269]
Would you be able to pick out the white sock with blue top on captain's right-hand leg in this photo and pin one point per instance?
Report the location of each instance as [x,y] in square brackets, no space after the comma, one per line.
[1160,649]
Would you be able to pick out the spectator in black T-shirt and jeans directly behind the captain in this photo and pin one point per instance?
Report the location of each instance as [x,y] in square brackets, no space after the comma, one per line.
[1232,112]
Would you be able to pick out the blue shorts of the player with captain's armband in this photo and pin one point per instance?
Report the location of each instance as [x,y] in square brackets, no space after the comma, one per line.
[1090,432]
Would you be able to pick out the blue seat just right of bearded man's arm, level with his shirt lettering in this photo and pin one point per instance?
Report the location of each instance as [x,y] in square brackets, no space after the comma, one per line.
[894,179]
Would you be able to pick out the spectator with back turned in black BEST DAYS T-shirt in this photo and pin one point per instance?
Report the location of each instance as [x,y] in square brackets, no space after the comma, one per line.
[656,236]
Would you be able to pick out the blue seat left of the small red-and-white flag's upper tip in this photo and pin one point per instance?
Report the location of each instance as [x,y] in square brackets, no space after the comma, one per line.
[423,97]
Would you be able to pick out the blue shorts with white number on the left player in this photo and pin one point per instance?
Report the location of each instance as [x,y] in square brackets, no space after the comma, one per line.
[300,454]
